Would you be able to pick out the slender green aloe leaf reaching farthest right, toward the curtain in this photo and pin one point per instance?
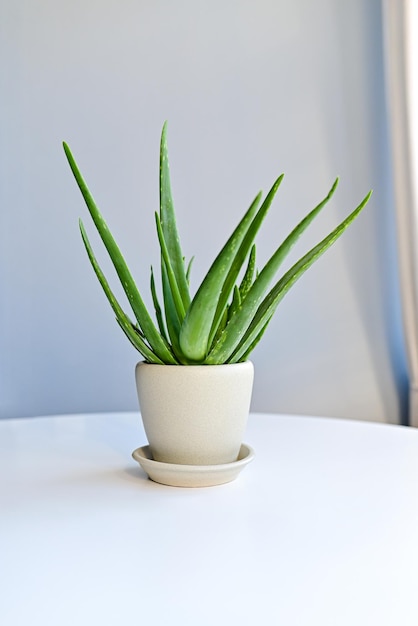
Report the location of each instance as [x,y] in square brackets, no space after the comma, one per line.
[269,305]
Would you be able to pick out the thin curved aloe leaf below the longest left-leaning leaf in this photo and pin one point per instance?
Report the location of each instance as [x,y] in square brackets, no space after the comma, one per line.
[123,320]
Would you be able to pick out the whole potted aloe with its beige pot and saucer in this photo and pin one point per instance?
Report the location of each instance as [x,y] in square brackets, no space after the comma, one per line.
[195,382]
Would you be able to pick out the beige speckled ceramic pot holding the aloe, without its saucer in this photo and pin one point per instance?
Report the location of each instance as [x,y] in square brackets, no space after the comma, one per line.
[195,414]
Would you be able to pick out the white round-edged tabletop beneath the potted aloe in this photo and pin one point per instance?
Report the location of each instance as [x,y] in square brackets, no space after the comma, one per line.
[321,529]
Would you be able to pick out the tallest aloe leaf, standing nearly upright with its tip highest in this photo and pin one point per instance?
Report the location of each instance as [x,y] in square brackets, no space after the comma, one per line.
[169,224]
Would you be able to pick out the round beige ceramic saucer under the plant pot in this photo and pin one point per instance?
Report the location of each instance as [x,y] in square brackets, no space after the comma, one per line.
[192,475]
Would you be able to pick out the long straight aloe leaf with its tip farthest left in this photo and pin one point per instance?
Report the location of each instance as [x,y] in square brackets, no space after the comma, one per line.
[145,322]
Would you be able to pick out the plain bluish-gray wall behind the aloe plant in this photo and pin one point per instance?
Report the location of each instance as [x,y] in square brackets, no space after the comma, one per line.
[250,89]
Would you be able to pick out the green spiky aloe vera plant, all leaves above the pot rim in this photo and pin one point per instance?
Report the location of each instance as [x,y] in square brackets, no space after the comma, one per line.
[226,318]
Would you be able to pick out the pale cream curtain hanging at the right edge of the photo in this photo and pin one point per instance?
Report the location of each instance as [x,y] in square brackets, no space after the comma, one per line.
[401,60]
